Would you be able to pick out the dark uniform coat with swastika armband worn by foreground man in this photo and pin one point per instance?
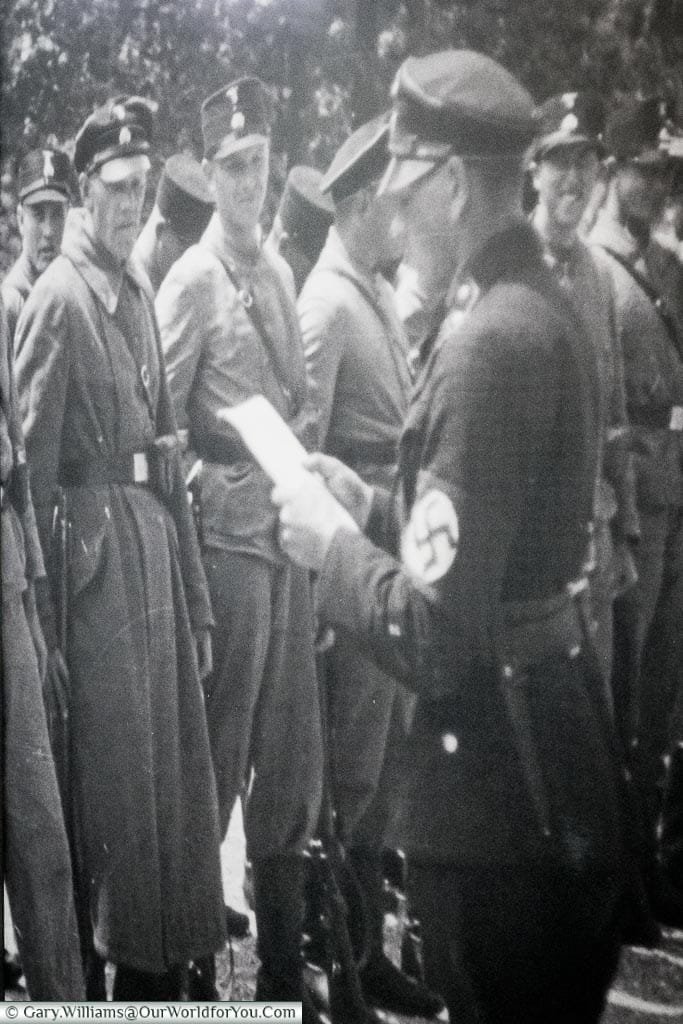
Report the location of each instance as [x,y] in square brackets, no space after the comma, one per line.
[497,476]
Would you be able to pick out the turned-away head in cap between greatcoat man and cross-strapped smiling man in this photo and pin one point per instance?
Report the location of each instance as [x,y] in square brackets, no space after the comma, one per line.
[183,209]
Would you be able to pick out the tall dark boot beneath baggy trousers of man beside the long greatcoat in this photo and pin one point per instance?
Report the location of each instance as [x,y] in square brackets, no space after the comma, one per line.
[279,907]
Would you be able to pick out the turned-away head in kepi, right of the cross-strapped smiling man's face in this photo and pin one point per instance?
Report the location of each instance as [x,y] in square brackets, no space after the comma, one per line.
[303,222]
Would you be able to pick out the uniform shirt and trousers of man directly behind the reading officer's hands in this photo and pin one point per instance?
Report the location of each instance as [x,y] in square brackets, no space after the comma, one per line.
[357,362]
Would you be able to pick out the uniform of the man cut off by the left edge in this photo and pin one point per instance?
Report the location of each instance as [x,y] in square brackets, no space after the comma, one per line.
[37,863]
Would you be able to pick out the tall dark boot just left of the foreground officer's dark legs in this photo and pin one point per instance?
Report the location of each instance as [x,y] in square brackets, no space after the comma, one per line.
[383,985]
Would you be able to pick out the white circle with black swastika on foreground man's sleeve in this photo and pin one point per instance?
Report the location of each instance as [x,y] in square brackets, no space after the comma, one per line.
[431,540]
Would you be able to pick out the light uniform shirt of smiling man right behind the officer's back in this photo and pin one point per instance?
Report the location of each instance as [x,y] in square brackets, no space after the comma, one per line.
[589,281]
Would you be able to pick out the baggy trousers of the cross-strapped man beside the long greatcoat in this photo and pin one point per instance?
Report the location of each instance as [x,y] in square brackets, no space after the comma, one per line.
[262,701]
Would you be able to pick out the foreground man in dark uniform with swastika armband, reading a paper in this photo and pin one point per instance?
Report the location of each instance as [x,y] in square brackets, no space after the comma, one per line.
[510,807]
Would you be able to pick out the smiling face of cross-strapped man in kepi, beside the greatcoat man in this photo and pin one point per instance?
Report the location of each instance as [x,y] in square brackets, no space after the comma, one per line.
[240,183]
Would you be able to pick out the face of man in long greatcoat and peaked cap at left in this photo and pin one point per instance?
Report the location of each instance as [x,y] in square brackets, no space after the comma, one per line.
[116,209]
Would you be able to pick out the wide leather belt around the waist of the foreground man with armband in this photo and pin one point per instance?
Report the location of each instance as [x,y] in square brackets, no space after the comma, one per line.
[533,631]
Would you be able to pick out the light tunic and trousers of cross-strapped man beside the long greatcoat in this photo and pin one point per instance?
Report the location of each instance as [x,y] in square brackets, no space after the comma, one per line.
[263,703]
